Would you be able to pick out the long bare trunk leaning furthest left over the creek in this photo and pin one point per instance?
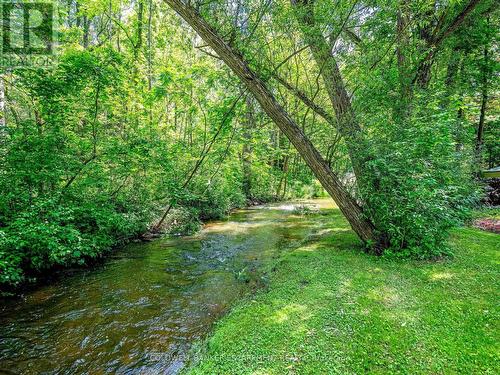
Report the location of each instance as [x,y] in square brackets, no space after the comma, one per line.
[332,184]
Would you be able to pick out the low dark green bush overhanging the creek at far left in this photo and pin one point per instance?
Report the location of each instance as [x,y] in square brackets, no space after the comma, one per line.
[49,234]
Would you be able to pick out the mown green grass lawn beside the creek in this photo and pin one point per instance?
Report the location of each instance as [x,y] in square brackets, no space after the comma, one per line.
[329,308]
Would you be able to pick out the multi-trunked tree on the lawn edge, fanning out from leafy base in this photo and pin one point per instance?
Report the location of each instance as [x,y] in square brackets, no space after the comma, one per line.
[418,38]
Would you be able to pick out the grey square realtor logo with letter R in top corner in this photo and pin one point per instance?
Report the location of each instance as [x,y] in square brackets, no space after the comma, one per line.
[27,33]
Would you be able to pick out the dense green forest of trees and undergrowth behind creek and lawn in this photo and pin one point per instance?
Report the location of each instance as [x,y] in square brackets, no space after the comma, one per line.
[155,116]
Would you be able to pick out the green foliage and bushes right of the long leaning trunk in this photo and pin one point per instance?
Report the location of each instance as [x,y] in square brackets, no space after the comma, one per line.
[420,79]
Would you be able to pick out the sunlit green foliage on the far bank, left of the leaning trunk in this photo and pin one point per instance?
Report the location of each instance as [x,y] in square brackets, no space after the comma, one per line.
[96,147]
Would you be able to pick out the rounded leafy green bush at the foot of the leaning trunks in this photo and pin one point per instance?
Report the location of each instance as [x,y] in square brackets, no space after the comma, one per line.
[419,190]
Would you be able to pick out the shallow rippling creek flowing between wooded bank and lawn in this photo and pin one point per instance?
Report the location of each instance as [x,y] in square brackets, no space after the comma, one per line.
[141,311]
